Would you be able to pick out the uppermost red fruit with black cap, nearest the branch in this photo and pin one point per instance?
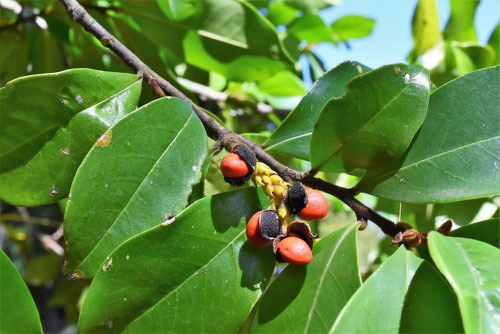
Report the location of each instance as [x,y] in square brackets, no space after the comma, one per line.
[247,155]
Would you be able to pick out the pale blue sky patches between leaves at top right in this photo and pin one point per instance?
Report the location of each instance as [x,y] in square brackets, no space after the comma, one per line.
[391,39]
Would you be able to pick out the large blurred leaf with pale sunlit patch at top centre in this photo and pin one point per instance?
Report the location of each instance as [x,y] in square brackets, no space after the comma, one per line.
[224,36]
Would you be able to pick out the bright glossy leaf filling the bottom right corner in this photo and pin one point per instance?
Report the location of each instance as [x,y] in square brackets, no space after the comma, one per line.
[471,267]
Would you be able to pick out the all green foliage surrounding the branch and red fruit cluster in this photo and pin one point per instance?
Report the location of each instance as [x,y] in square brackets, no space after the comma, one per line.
[91,144]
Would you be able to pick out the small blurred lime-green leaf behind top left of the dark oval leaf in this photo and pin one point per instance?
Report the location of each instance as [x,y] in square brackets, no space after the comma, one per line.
[283,84]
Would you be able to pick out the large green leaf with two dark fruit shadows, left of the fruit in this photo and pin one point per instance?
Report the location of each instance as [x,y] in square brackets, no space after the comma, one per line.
[196,275]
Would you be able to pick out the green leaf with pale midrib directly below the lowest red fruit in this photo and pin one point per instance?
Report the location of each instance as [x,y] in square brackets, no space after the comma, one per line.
[307,299]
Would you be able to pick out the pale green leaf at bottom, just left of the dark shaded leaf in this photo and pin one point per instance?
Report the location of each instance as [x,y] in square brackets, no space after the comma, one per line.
[376,307]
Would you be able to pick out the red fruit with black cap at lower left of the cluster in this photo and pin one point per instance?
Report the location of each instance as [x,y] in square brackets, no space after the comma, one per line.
[263,228]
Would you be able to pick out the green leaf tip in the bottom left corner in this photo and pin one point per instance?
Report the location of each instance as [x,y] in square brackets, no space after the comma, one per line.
[18,313]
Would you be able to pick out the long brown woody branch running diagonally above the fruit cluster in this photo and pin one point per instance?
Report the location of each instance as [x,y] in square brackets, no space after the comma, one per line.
[216,130]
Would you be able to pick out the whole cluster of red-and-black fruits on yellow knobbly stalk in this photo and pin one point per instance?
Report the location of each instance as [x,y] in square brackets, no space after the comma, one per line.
[292,240]
